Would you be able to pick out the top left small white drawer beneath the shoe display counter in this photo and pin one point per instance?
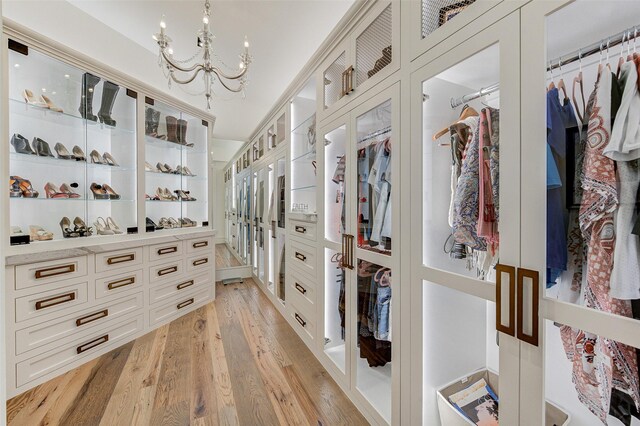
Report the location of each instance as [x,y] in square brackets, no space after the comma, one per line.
[38,274]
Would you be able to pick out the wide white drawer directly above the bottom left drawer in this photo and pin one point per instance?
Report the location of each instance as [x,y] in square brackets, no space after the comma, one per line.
[58,332]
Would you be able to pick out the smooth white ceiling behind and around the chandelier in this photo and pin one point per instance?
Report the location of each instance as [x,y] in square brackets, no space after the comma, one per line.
[283,35]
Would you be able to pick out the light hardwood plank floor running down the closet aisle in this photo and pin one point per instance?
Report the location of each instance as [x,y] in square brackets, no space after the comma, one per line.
[234,361]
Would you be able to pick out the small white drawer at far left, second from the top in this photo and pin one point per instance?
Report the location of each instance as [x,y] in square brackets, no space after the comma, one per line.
[48,303]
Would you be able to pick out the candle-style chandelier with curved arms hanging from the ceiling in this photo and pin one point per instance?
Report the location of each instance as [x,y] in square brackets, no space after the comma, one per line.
[191,70]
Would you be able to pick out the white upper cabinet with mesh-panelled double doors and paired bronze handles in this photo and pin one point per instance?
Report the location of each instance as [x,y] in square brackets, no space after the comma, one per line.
[369,54]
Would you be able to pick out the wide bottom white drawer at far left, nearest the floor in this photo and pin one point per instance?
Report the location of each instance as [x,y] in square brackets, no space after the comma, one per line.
[36,367]
